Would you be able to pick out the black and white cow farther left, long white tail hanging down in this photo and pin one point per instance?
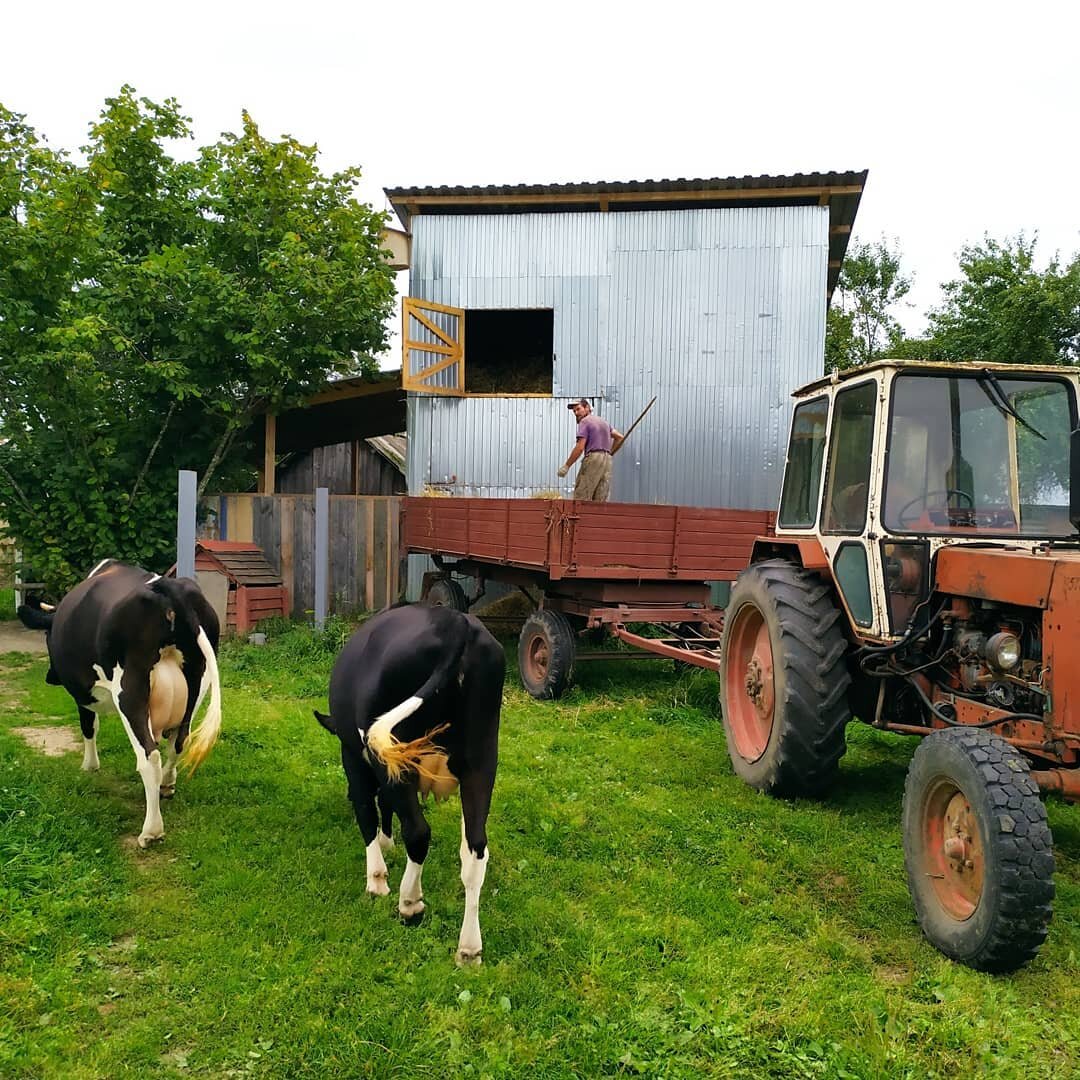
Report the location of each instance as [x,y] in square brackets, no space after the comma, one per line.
[144,646]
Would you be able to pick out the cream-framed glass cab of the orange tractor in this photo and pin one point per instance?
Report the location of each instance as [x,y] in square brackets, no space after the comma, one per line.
[894,462]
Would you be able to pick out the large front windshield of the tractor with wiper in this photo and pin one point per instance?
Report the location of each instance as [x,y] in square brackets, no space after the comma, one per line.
[979,456]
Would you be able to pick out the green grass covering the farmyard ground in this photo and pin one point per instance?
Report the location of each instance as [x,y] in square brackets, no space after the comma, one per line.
[645,913]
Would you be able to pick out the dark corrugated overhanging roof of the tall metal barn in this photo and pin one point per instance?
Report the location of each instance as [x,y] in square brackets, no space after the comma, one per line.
[840,192]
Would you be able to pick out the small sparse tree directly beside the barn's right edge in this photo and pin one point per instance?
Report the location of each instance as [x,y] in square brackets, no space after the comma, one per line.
[861,326]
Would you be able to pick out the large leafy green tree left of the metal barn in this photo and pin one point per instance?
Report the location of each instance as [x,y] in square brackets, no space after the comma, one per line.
[151,307]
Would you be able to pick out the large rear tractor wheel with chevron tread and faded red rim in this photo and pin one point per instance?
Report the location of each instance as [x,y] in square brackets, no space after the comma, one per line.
[785,681]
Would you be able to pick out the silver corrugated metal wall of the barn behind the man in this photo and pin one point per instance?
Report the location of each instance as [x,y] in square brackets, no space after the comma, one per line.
[719,313]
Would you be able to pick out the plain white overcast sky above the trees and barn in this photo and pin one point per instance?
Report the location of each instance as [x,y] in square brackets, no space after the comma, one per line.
[965,114]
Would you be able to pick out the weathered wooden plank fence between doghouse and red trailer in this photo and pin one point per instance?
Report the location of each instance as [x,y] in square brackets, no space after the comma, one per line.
[366,555]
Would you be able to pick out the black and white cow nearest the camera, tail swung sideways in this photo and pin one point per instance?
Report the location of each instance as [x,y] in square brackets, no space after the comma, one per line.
[415,700]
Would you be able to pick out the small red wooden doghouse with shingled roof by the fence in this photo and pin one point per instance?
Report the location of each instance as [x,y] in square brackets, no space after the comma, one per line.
[240,584]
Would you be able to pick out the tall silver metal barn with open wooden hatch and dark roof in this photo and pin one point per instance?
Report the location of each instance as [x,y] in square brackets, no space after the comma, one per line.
[708,294]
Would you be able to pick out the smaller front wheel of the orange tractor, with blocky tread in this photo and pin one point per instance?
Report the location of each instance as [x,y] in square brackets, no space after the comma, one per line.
[978,850]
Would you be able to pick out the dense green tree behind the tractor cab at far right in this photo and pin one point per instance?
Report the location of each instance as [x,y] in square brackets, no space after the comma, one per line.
[1003,309]
